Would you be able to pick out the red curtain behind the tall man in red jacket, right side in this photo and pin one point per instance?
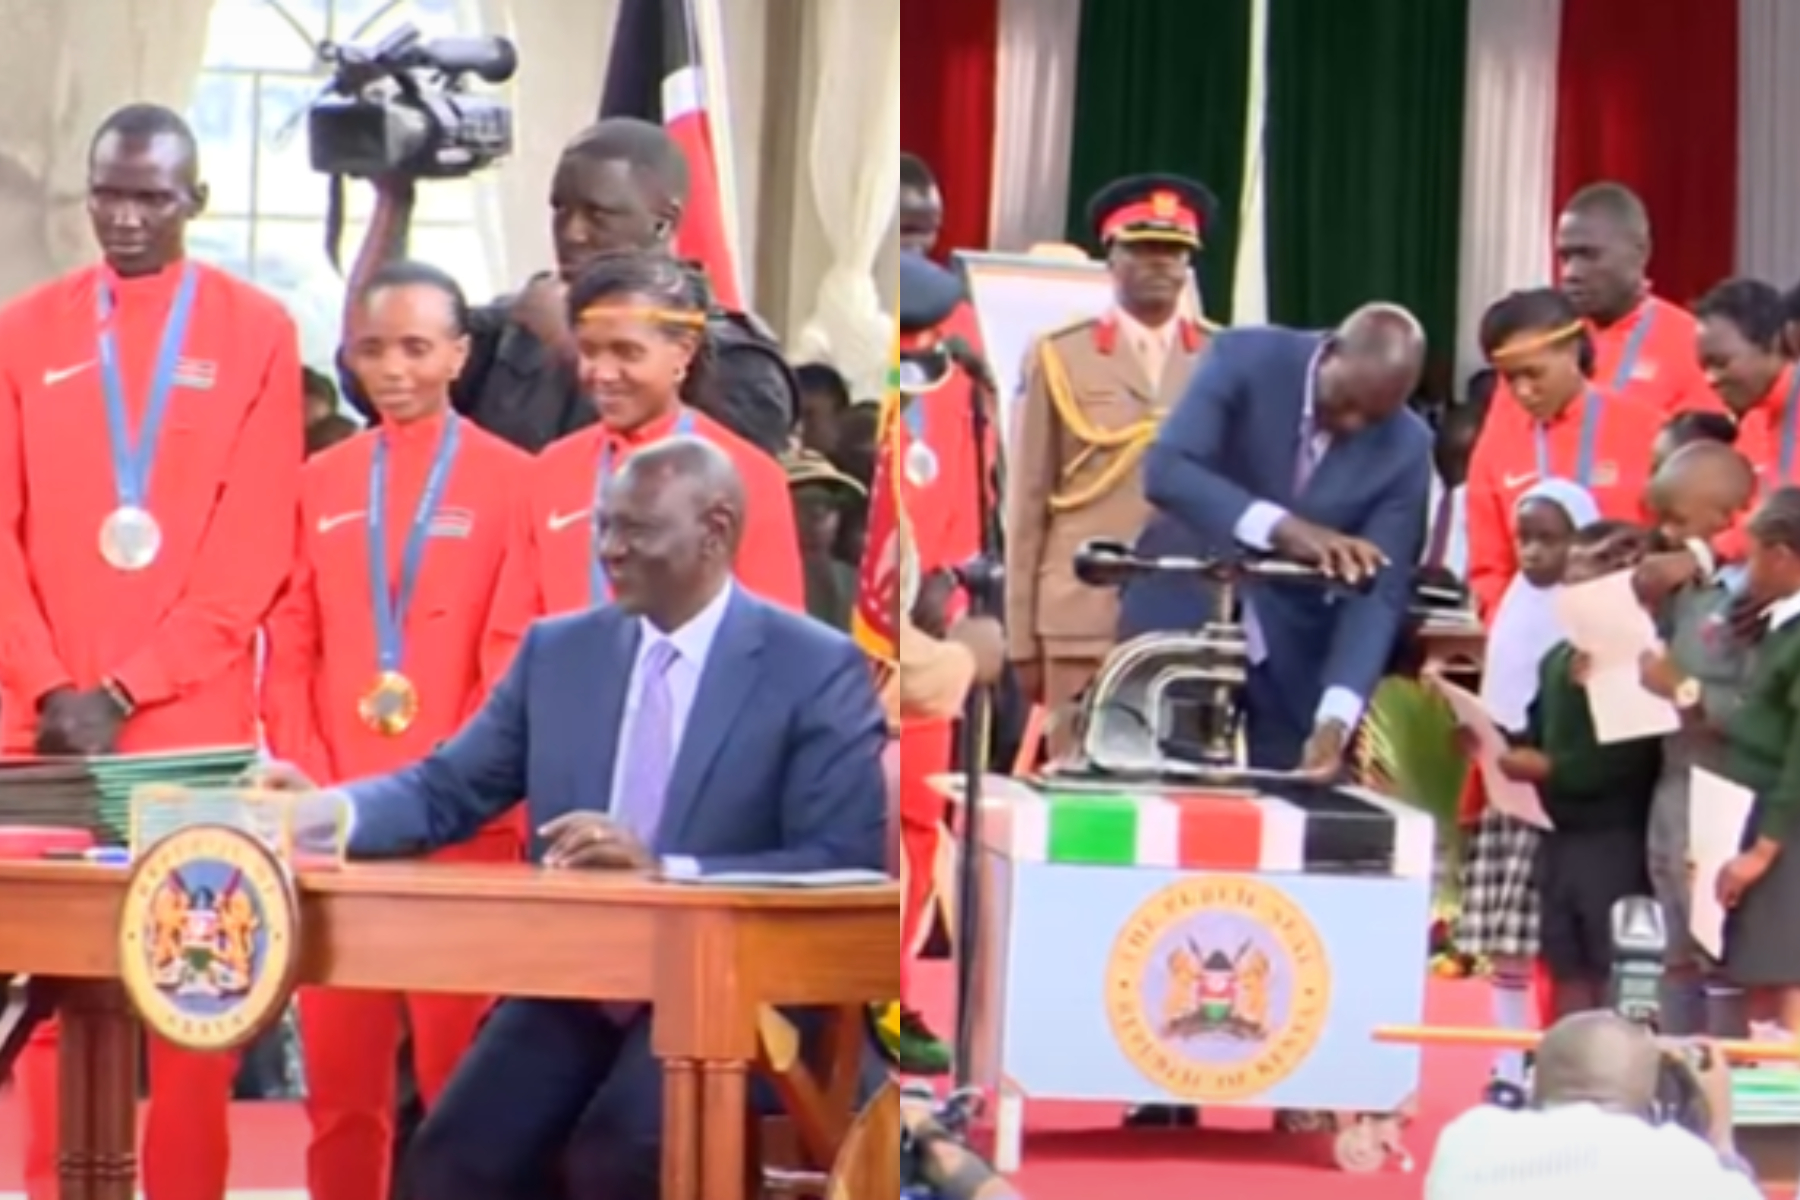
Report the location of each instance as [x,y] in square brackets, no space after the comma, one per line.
[1648,98]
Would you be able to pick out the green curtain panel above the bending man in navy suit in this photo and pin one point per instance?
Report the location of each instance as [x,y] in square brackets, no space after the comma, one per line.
[1363,170]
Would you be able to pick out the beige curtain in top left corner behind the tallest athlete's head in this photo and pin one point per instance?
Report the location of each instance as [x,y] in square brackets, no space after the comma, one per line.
[64,67]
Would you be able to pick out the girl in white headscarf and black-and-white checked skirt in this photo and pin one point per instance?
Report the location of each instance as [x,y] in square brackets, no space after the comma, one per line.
[1498,917]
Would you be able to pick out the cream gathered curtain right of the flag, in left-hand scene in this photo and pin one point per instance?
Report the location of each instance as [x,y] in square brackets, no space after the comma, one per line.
[856,184]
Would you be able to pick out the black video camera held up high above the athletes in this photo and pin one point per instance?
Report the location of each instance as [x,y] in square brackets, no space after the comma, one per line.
[404,109]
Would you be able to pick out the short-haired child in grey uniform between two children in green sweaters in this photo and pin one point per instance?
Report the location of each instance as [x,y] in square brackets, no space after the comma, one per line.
[1698,494]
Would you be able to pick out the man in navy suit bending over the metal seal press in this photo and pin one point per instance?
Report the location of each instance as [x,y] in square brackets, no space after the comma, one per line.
[1302,445]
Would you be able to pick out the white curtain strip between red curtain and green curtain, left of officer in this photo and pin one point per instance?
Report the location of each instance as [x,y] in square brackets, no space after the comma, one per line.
[1036,112]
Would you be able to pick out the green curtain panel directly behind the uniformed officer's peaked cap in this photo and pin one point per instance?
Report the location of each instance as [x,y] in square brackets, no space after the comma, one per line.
[1164,85]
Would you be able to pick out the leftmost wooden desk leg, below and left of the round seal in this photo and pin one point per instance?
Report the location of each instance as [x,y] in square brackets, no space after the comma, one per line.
[98,1086]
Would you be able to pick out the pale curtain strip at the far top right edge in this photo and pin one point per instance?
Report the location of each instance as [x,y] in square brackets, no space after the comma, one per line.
[1768,141]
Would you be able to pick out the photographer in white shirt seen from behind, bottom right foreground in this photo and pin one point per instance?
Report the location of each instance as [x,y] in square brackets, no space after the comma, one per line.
[1610,1107]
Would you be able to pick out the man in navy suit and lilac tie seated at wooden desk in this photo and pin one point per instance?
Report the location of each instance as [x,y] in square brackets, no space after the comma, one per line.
[688,730]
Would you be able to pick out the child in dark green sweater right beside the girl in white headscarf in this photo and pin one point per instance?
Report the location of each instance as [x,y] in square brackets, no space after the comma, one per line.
[1597,800]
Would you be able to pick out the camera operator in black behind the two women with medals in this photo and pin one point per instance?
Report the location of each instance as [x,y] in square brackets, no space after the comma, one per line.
[620,186]
